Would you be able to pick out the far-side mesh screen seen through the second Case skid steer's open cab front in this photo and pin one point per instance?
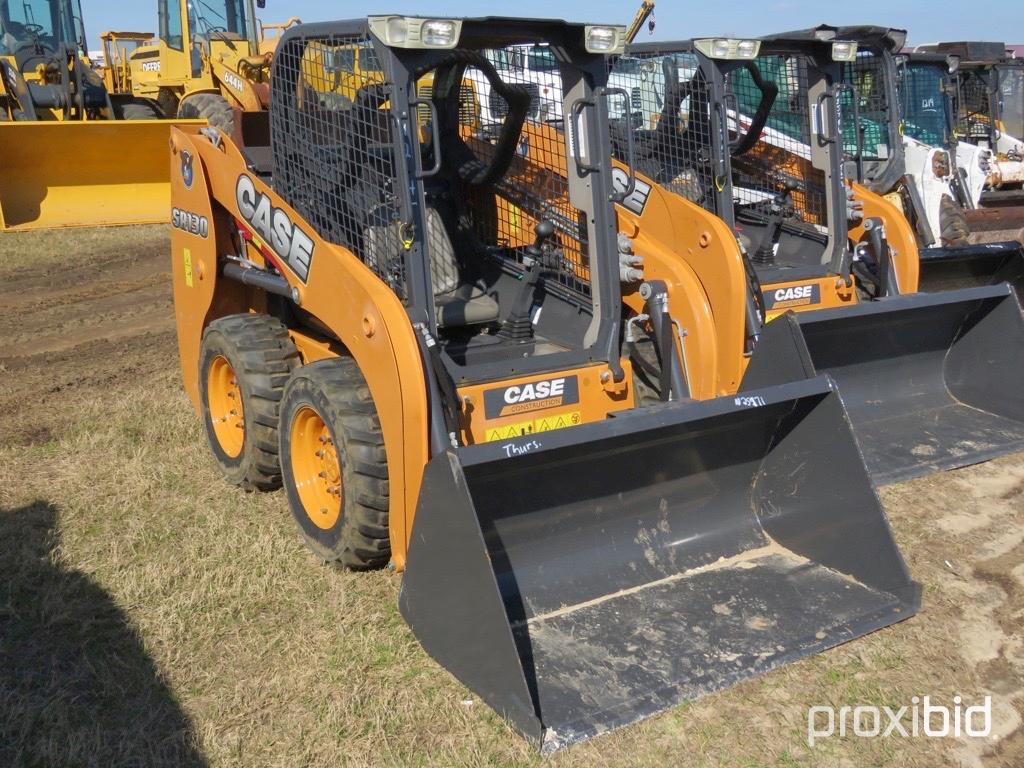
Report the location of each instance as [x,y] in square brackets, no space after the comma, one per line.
[783,154]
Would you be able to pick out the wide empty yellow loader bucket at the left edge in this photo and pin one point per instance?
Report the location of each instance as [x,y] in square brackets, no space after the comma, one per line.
[93,174]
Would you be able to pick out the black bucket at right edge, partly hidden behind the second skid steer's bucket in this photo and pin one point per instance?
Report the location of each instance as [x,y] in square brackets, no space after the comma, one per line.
[966,267]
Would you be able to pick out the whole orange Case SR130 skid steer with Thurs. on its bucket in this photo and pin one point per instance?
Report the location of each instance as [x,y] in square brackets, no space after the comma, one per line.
[362,318]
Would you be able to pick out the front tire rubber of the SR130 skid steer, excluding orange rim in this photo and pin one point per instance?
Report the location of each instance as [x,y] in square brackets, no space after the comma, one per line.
[337,392]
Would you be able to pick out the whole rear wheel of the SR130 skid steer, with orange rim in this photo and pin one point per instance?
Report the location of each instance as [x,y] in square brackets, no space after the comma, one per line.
[244,365]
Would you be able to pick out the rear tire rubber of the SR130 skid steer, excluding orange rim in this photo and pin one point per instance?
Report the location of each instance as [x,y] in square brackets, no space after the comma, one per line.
[263,355]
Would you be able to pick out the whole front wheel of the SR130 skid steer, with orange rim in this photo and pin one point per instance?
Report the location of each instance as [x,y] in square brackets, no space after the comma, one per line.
[335,466]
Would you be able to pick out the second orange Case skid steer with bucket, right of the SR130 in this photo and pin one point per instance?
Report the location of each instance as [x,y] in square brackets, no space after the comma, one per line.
[751,133]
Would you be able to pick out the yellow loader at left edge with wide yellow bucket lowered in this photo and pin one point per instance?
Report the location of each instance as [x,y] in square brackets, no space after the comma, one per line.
[75,153]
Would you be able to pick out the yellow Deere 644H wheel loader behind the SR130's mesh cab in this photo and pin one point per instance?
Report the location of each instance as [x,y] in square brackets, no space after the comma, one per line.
[211,61]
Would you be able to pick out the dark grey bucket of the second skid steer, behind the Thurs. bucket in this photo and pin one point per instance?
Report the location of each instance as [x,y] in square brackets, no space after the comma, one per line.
[930,381]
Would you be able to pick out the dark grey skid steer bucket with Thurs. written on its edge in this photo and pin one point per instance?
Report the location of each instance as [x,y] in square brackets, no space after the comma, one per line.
[582,580]
